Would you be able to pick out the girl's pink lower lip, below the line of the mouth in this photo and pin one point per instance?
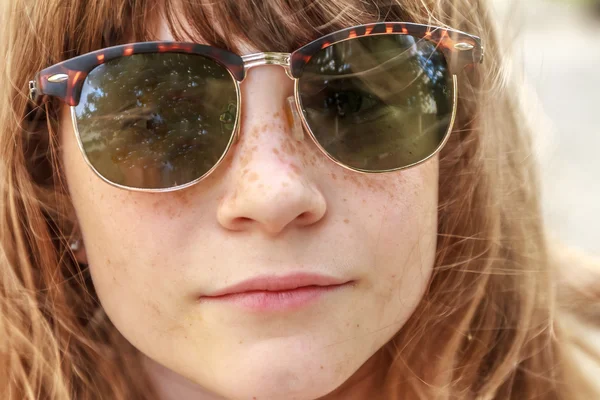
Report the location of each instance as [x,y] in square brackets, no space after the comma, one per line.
[263,301]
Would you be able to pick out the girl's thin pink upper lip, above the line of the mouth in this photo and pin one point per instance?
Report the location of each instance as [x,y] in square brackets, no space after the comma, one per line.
[278,283]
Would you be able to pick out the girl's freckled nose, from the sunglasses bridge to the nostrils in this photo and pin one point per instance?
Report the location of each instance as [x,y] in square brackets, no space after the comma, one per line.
[271,178]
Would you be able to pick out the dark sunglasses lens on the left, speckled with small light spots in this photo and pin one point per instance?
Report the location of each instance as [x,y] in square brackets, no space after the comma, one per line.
[155,121]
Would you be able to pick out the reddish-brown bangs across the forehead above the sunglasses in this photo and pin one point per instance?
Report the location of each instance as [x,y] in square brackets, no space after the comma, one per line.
[275,25]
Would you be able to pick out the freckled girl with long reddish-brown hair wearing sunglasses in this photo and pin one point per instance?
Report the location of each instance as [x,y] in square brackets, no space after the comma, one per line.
[272,200]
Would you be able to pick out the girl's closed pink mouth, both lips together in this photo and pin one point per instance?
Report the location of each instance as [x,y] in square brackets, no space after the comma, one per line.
[276,293]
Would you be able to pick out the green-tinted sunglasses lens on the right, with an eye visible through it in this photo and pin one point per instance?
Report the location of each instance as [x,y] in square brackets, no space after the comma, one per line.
[380,102]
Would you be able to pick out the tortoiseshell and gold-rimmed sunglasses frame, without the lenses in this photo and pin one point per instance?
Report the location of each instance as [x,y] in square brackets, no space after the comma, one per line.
[65,79]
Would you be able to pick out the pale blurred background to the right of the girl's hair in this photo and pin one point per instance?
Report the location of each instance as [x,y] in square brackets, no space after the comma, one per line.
[555,46]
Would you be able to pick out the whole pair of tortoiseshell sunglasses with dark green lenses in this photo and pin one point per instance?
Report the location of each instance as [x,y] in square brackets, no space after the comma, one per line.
[161,116]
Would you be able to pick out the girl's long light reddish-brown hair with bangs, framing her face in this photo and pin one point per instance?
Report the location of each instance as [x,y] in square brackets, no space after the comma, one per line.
[496,322]
